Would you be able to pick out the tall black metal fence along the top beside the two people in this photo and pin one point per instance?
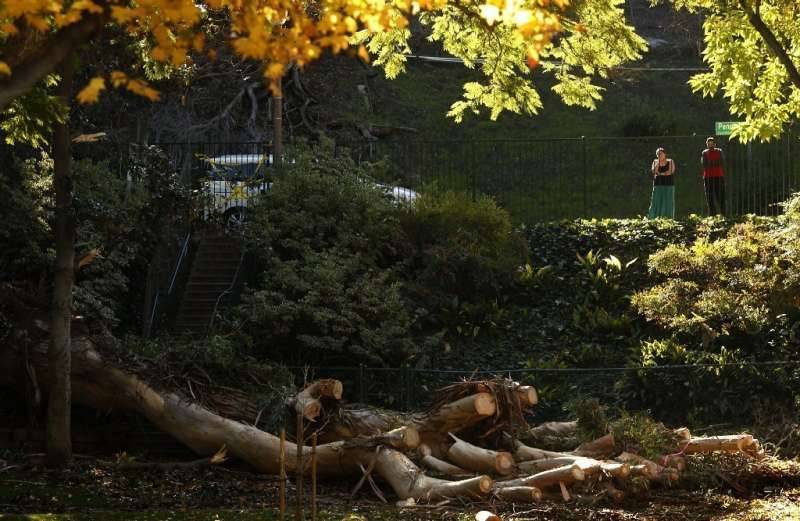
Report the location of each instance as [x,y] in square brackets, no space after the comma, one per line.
[553,179]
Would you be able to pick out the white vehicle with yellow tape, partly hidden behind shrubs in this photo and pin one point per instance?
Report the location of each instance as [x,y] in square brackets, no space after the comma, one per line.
[233,180]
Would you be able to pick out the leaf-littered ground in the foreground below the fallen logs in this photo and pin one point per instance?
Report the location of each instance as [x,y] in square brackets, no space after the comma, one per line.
[729,489]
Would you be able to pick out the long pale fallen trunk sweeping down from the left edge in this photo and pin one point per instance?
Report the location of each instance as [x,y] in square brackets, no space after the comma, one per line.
[100,385]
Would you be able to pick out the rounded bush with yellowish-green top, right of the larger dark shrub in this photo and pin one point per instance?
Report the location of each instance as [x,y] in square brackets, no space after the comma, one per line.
[464,260]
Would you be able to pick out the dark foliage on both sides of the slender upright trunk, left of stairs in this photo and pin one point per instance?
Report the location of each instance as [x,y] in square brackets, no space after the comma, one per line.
[118,227]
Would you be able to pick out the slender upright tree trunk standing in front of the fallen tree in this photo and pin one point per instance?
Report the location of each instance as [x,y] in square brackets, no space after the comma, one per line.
[59,442]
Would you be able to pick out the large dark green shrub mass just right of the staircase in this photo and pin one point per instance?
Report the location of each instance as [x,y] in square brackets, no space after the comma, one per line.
[346,275]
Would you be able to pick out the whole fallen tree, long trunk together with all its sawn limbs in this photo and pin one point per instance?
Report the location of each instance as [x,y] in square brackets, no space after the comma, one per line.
[467,441]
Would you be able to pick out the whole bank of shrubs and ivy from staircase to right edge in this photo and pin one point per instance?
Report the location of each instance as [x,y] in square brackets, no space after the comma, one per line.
[345,275]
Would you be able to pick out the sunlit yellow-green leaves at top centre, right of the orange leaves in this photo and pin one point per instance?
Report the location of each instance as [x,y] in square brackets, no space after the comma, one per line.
[595,39]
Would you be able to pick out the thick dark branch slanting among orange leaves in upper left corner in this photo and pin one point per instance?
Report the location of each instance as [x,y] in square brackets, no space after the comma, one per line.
[50,55]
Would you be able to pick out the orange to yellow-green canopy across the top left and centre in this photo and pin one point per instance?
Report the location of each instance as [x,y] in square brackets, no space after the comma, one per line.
[507,39]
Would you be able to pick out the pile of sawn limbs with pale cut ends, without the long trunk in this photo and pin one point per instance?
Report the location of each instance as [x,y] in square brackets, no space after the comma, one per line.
[486,459]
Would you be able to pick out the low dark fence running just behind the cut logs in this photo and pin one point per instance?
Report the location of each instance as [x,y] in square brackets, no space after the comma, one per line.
[669,392]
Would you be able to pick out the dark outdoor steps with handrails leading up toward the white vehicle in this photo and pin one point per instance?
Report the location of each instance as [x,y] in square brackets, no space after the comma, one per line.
[213,271]
